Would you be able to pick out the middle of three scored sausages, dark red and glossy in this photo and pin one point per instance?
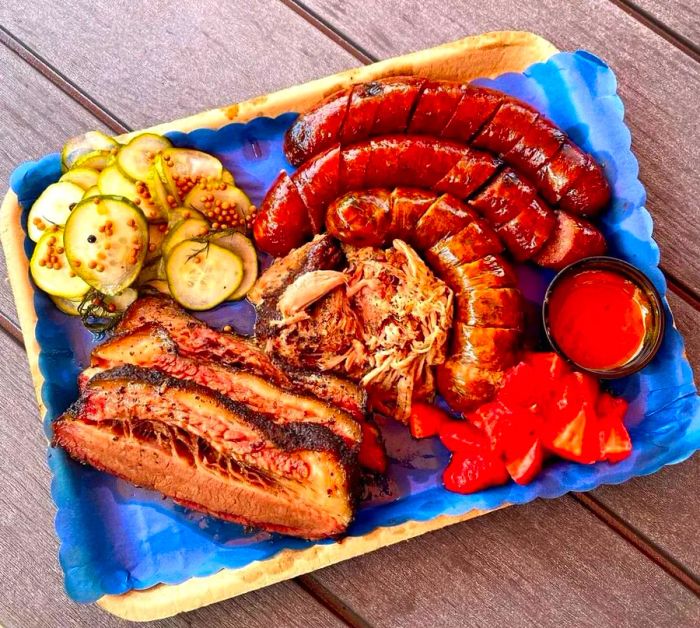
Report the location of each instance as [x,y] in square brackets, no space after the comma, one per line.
[295,207]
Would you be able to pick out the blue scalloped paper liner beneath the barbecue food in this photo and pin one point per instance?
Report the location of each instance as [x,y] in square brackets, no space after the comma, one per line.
[116,538]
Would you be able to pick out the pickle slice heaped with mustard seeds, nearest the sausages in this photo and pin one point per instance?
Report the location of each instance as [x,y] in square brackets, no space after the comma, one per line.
[225,205]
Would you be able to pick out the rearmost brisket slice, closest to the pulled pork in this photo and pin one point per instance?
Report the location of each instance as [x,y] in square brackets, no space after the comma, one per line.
[195,338]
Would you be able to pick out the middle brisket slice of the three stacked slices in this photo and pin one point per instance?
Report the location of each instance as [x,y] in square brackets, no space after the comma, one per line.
[151,346]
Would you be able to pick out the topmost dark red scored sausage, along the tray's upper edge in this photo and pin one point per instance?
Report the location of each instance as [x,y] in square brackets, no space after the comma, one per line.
[564,175]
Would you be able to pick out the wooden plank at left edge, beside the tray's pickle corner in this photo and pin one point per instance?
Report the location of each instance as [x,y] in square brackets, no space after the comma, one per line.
[35,118]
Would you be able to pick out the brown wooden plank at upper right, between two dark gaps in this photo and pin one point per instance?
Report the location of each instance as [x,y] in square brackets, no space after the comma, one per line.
[658,83]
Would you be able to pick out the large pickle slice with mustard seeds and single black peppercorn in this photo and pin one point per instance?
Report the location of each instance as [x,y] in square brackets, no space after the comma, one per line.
[106,239]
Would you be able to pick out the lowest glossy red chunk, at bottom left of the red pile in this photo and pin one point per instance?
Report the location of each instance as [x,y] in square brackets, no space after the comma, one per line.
[473,470]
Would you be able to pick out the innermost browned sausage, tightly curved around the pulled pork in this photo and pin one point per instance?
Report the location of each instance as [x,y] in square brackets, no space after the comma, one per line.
[463,250]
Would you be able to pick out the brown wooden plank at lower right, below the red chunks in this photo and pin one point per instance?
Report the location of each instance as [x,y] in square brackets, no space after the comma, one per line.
[549,563]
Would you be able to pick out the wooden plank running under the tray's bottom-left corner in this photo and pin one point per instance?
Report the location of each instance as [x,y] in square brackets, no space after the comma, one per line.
[32,580]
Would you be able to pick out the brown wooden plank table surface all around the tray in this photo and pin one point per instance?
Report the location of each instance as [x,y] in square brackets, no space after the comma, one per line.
[621,555]
